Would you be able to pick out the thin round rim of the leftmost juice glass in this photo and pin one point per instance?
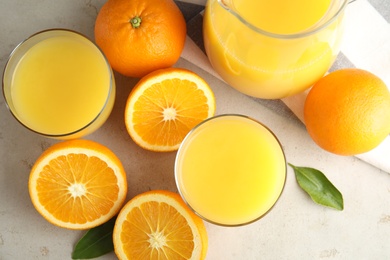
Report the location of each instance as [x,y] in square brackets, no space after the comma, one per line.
[25,41]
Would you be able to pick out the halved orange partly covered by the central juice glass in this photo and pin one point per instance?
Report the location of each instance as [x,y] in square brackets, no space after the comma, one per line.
[165,105]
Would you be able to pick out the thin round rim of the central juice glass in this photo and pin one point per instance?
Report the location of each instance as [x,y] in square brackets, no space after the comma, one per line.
[188,136]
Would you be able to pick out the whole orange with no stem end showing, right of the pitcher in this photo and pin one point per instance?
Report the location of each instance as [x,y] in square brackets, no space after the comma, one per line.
[347,112]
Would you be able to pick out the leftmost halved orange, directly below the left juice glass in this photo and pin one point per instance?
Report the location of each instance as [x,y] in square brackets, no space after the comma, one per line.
[78,184]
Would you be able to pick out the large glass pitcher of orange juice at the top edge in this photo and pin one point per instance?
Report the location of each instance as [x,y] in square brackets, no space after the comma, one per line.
[272,49]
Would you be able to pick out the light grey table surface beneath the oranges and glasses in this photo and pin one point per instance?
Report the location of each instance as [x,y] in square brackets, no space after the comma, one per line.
[296,228]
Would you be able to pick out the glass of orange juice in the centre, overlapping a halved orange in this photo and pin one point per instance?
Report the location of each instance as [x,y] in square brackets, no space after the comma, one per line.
[230,169]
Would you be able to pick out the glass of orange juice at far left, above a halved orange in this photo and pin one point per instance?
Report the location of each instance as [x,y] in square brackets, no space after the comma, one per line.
[59,84]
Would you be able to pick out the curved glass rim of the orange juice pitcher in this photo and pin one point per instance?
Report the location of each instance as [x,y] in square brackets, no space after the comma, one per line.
[312,30]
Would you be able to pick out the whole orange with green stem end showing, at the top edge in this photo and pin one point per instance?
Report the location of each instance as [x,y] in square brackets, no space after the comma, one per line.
[140,36]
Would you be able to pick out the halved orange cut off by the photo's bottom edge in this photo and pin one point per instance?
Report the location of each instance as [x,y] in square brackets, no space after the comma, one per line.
[159,225]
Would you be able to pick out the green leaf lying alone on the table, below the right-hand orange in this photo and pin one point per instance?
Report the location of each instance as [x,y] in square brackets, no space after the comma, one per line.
[320,189]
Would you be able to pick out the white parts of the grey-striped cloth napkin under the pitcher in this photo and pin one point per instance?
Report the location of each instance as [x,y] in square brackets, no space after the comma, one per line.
[366,44]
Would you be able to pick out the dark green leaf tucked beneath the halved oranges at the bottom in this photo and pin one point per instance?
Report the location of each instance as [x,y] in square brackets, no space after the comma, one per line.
[96,242]
